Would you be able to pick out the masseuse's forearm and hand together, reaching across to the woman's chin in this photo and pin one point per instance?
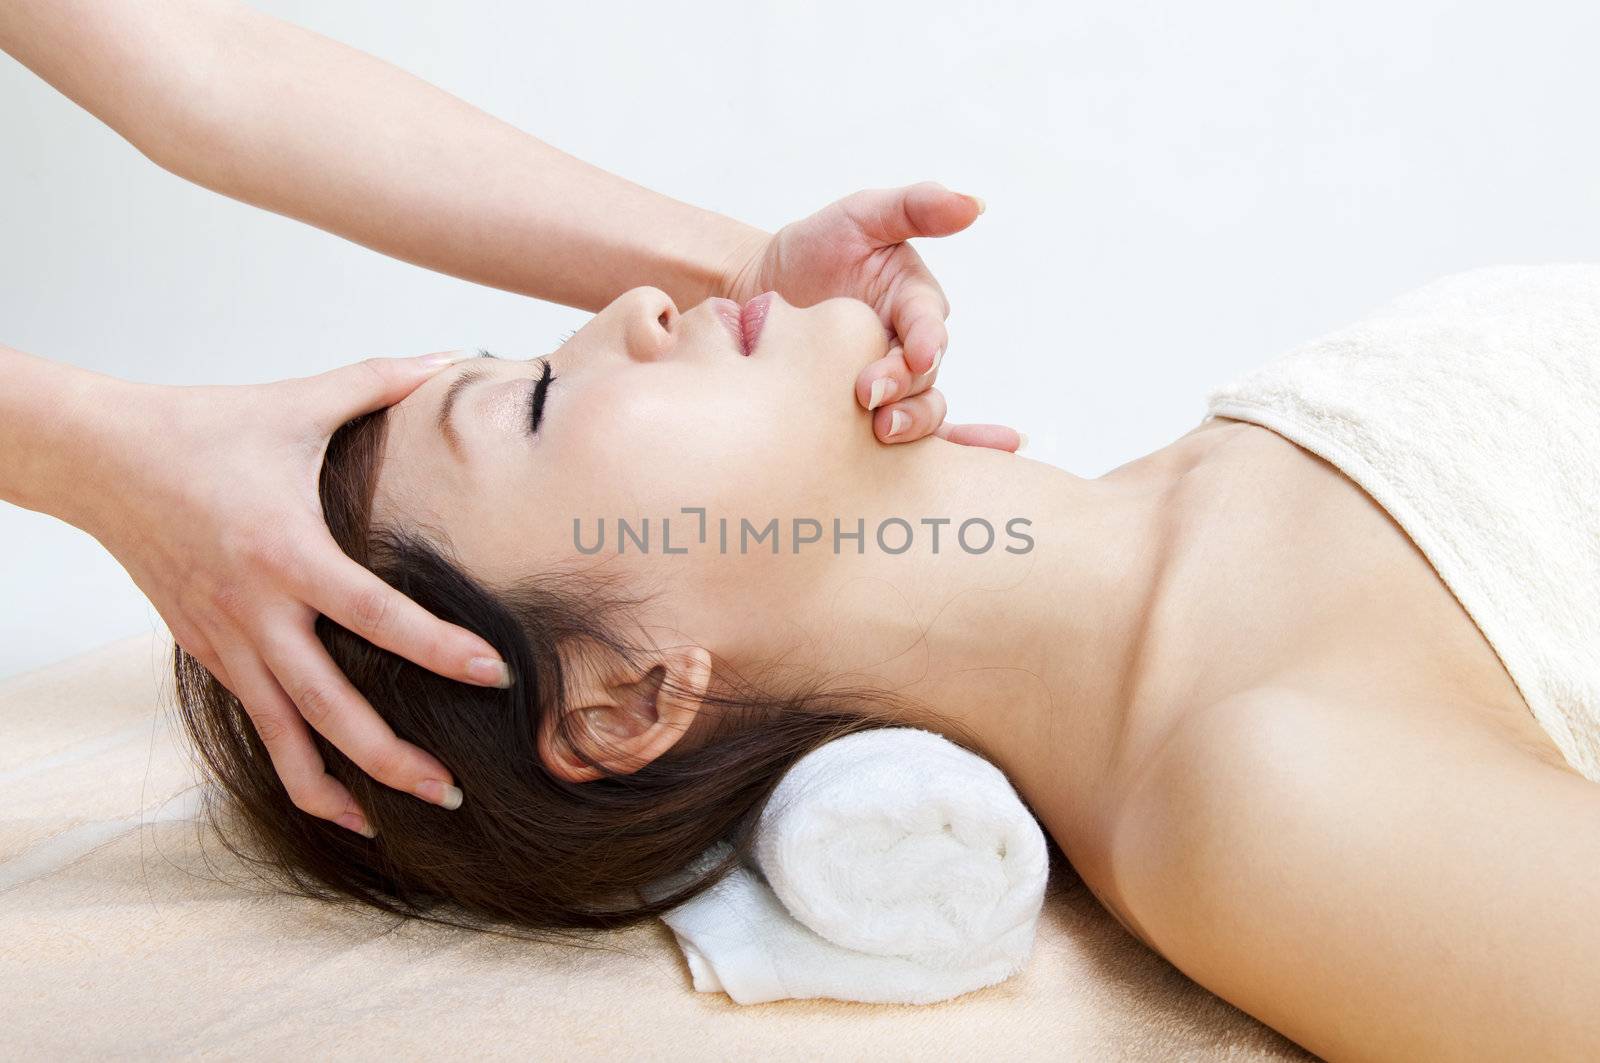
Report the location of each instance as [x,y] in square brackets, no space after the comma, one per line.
[286,119]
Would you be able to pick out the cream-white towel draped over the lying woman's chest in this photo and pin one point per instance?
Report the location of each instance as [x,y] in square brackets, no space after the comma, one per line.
[1470,411]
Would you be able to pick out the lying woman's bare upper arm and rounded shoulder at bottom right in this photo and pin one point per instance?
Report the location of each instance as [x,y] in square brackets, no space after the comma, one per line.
[1375,884]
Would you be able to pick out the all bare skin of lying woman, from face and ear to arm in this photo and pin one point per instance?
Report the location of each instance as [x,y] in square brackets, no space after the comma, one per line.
[1231,688]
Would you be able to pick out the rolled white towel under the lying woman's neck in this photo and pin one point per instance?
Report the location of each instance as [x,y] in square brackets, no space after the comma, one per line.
[892,867]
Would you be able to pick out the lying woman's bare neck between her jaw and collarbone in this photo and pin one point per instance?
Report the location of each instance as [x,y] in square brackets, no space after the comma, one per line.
[1036,646]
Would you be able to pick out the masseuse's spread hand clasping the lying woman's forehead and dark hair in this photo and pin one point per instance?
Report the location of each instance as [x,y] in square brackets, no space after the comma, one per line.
[217,518]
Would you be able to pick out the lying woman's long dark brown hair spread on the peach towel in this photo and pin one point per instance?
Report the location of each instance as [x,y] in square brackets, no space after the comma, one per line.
[527,851]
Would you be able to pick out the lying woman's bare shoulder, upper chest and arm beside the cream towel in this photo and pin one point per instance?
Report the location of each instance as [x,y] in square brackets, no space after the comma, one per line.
[1350,824]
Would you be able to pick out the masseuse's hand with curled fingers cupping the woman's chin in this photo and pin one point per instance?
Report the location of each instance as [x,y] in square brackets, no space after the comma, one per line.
[858,247]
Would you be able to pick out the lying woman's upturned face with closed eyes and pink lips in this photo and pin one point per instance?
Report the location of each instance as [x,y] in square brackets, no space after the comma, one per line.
[644,414]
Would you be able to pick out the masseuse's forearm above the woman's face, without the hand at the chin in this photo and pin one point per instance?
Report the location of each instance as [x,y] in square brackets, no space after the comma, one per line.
[294,122]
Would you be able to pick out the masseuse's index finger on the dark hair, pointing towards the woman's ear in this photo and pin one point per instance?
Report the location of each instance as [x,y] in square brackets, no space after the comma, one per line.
[358,601]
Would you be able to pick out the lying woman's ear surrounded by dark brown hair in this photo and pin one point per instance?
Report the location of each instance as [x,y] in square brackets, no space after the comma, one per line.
[622,716]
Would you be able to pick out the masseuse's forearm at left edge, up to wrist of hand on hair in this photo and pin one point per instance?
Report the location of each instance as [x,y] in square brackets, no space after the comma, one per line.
[50,419]
